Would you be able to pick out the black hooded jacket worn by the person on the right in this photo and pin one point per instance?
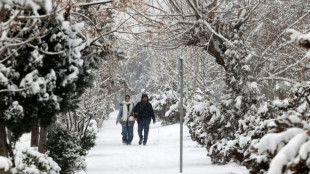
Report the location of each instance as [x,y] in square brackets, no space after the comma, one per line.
[144,110]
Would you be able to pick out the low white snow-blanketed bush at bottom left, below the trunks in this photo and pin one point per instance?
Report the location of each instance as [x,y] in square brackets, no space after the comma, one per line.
[29,161]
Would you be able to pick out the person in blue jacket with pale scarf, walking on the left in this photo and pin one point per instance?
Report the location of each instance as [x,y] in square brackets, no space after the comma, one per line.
[126,118]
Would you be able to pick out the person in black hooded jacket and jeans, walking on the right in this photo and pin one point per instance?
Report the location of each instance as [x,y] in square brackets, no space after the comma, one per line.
[143,114]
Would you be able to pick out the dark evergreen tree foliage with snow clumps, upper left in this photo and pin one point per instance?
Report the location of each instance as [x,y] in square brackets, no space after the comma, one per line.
[41,60]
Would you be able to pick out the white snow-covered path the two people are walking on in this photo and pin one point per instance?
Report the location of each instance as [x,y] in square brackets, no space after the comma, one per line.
[159,156]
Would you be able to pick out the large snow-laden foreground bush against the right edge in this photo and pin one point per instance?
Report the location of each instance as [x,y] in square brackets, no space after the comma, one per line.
[282,147]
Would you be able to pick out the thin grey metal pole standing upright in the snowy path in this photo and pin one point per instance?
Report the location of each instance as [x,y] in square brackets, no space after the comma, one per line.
[181,114]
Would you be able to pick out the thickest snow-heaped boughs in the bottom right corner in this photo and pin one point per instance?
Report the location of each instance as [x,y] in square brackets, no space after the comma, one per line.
[277,152]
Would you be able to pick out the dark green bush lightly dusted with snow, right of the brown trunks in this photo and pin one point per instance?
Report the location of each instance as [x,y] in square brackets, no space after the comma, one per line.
[65,148]
